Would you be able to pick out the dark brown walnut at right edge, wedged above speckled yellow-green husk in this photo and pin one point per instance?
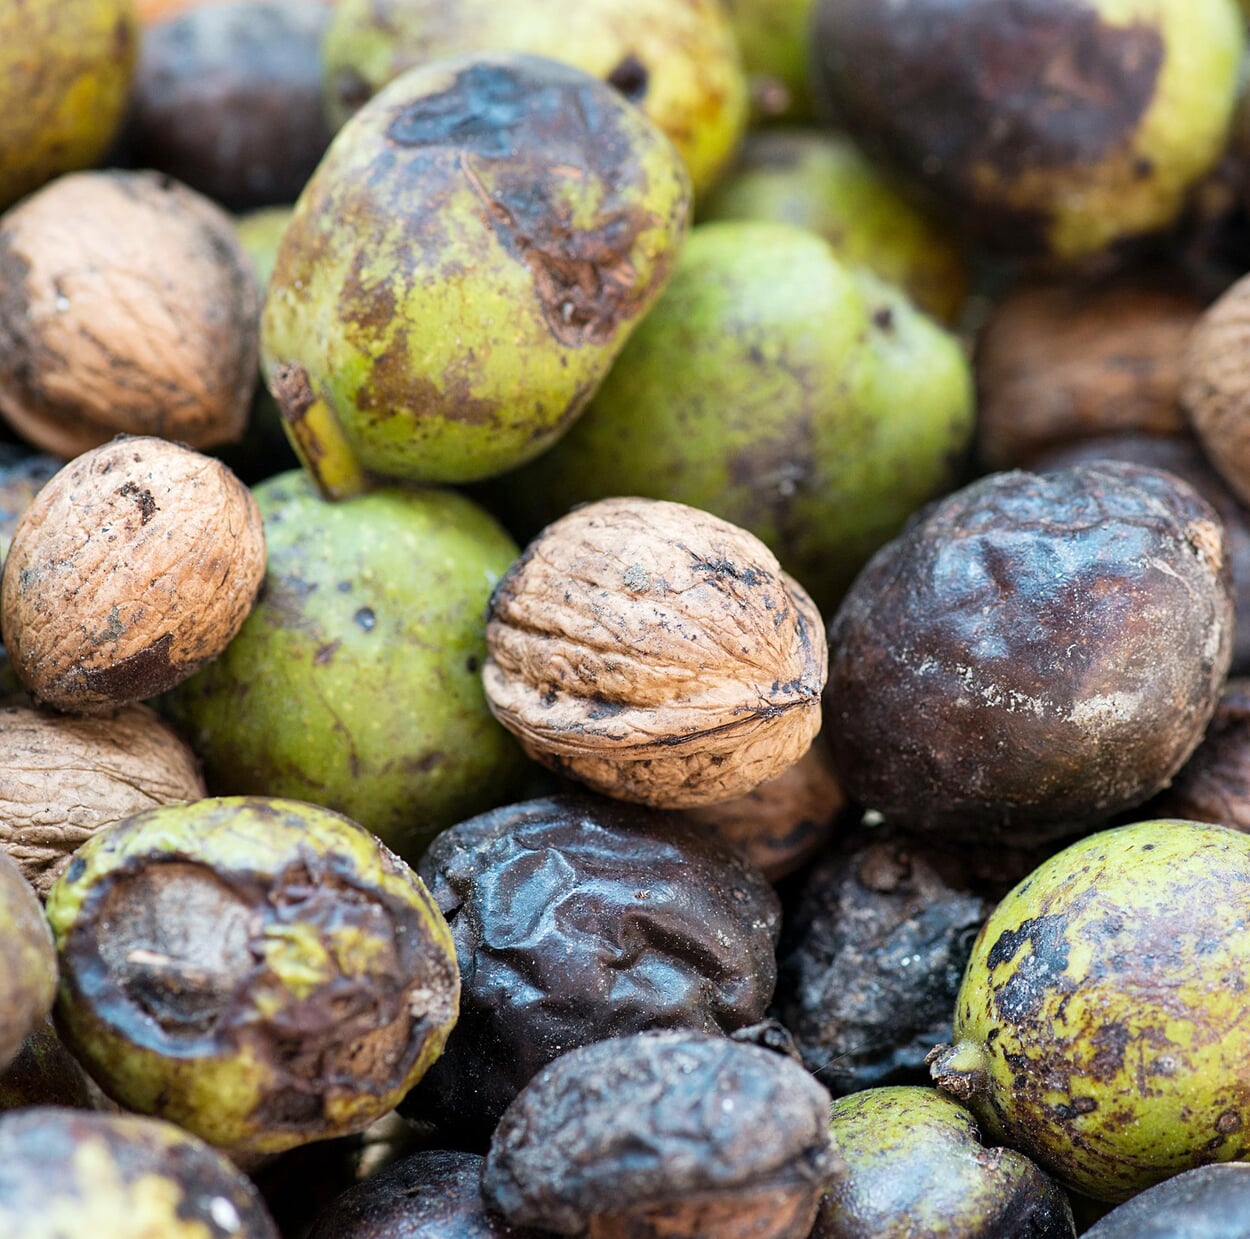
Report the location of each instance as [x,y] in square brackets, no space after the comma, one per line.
[1214,786]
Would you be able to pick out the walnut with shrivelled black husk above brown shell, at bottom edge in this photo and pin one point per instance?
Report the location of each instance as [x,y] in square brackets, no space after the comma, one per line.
[666,1135]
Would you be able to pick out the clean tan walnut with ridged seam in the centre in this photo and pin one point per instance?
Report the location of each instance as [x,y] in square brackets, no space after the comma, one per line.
[656,653]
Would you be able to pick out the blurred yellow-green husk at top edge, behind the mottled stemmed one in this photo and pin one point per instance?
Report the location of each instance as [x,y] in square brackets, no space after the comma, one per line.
[678,61]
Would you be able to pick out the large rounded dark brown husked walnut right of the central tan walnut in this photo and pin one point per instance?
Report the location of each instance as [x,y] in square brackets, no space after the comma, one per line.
[1034,655]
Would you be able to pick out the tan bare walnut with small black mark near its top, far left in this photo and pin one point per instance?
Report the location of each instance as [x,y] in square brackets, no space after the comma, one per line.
[134,567]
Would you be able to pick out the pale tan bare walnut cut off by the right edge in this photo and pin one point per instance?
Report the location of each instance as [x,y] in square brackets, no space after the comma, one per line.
[1216,387]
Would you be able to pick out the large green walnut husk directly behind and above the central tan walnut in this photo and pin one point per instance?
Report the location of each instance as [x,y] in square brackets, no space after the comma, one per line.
[781,389]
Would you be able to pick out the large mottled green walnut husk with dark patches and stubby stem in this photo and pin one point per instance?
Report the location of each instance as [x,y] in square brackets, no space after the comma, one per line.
[463,268]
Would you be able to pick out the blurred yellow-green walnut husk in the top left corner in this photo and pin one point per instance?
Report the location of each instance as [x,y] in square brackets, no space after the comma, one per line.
[66,69]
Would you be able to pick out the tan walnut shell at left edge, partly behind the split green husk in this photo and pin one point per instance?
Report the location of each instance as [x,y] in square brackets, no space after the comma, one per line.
[63,778]
